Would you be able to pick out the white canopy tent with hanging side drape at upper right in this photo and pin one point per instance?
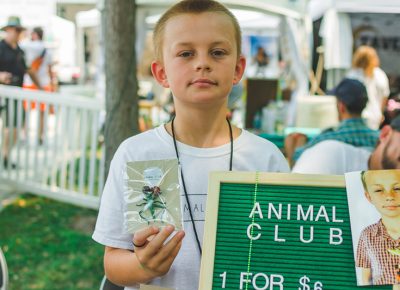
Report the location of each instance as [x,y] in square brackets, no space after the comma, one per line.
[342,19]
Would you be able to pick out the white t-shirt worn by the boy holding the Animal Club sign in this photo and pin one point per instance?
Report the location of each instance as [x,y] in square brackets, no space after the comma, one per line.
[251,153]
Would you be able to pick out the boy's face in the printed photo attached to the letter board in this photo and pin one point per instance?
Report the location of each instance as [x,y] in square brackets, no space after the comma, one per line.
[383,191]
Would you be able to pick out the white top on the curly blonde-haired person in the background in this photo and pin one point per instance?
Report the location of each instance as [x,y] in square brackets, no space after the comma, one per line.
[377,88]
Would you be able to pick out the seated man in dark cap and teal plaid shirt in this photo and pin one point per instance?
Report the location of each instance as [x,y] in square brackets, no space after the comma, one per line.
[351,96]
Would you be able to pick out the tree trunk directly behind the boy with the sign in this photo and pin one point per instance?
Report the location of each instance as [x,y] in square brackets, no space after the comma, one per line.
[118,20]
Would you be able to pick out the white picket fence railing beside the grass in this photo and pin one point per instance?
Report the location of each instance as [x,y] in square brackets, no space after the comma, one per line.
[66,161]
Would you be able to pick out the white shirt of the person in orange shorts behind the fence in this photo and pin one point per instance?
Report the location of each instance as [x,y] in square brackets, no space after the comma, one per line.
[33,50]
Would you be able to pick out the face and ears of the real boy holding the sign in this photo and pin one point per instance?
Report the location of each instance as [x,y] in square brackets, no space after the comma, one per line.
[200,61]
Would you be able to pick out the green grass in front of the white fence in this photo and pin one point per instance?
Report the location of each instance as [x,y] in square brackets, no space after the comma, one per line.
[48,245]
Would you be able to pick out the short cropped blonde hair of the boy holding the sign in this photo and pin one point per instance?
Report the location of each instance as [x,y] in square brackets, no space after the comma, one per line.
[193,7]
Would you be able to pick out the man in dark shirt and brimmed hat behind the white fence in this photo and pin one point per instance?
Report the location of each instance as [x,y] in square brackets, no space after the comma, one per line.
[12,70]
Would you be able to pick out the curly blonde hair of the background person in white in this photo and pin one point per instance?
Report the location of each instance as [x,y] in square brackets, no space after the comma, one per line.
[366,58]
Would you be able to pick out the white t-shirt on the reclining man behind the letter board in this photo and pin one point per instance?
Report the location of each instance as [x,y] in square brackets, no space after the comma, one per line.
[332,157]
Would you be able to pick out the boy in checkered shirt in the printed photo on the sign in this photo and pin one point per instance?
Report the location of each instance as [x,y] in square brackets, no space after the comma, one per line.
[378,265]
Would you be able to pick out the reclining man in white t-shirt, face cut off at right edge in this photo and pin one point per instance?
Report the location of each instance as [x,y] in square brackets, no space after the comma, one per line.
[334,157]
